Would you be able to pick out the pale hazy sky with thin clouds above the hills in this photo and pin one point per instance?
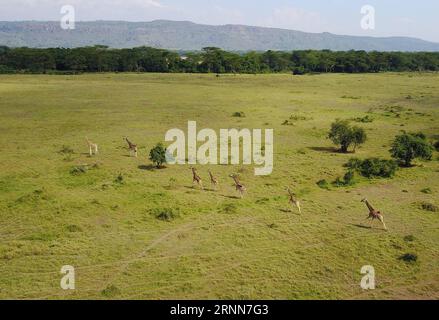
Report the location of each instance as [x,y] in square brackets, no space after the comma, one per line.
[393,17]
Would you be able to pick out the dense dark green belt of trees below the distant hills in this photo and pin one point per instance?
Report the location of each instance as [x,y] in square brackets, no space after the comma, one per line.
[145,59]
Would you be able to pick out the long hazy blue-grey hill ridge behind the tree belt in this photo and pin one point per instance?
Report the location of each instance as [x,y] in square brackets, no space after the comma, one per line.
[185,35]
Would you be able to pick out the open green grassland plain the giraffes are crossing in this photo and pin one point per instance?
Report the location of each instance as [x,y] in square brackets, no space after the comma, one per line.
[217,246]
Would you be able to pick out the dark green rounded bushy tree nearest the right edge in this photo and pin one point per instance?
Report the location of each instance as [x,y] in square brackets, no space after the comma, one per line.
[407,147]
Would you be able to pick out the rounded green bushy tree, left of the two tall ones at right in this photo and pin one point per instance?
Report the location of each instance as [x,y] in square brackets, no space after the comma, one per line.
[343,134]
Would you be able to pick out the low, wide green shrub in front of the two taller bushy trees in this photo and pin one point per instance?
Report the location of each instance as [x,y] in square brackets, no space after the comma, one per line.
[373,167]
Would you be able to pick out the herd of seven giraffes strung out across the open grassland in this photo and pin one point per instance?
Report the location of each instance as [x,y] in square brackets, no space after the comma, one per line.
[240,188]
